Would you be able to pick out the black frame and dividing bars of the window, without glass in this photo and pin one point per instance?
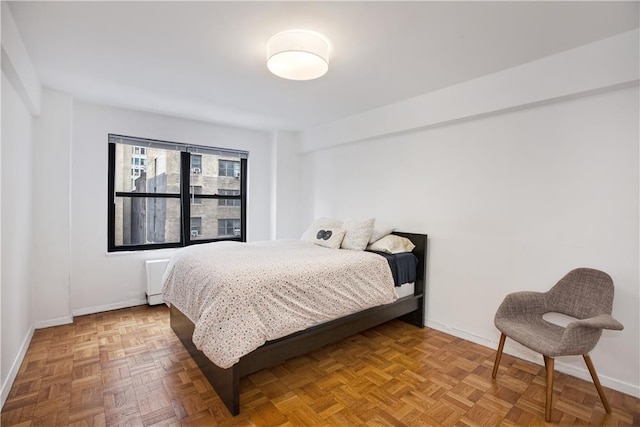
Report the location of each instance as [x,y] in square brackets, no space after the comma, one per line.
[185,196]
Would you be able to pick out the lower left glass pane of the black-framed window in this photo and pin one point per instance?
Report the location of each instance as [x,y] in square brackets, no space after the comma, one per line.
[142,220]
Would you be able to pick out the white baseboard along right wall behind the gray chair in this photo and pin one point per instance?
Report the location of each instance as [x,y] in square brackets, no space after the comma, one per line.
[530,356]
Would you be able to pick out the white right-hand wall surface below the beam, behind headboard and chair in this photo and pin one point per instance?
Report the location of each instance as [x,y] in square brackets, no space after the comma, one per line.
[510,202]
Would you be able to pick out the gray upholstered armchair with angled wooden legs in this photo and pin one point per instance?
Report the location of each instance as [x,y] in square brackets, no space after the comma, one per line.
[584,294]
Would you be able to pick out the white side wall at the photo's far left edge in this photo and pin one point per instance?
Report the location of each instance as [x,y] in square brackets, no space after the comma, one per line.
[20,90]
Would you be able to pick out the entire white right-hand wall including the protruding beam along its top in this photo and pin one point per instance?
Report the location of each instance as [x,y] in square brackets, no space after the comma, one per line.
[517,177]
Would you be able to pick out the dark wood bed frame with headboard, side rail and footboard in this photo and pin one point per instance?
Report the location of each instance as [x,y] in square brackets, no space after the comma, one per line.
[226,382]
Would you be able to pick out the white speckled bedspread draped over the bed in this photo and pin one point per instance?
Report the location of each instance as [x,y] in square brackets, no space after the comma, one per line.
[240,295]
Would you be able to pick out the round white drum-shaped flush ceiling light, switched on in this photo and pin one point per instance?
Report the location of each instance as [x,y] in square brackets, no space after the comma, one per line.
[298,55]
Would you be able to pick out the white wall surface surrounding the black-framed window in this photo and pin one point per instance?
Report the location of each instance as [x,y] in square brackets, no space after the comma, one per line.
[99,280]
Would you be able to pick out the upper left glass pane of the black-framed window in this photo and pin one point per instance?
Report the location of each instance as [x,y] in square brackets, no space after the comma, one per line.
[155,171]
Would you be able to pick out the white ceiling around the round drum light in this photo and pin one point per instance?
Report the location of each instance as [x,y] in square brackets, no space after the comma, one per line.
[206,60]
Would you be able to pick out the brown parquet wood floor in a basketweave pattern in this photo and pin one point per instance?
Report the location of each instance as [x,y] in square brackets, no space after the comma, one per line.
[126,367]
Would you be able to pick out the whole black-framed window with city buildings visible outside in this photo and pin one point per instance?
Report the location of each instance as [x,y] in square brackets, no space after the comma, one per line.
[171,196]
